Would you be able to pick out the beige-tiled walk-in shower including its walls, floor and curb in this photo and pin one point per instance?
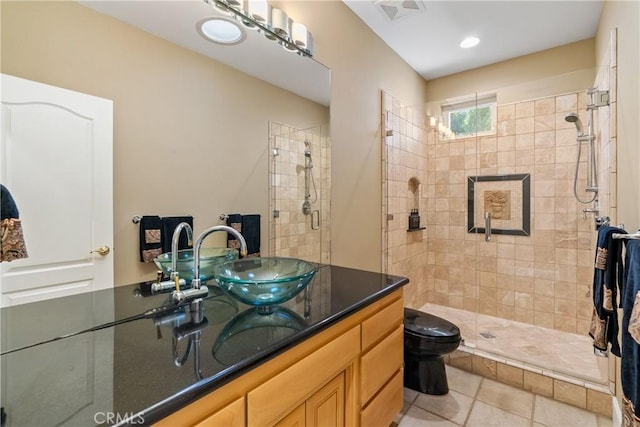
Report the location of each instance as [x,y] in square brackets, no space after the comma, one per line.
[543,278]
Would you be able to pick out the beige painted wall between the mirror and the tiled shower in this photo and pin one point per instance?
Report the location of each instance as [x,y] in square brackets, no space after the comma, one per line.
[361,67]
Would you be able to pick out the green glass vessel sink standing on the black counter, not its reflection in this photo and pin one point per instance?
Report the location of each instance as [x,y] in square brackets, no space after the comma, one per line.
[264,281]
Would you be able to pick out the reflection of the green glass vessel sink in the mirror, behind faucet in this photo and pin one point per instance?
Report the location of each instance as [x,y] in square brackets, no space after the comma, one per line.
[209,258]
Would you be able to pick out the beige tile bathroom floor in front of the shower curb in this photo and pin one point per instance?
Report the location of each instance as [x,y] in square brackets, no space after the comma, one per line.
[475,401]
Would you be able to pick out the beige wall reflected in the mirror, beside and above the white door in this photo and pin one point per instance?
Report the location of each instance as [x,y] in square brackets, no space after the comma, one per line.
[185,142]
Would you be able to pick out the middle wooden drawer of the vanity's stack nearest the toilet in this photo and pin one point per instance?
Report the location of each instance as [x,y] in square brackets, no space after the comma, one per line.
[380,363]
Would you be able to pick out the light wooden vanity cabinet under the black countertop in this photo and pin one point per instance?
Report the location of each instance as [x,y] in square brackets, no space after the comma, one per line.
[347,375]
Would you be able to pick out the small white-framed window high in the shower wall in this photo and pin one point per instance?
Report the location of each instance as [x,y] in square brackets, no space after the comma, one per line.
[471,117]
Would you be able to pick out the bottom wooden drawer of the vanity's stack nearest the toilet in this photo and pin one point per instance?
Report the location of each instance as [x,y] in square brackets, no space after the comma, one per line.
[386,405]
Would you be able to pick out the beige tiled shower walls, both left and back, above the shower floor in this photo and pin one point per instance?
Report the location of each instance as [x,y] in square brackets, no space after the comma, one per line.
[542,279]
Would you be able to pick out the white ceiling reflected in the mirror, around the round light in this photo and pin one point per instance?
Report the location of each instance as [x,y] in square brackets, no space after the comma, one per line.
[256,55]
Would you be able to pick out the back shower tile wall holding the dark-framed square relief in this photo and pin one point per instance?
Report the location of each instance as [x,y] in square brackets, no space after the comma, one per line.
[544,278]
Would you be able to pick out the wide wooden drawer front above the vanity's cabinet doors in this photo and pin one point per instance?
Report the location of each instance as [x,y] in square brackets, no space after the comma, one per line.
[281,394]
